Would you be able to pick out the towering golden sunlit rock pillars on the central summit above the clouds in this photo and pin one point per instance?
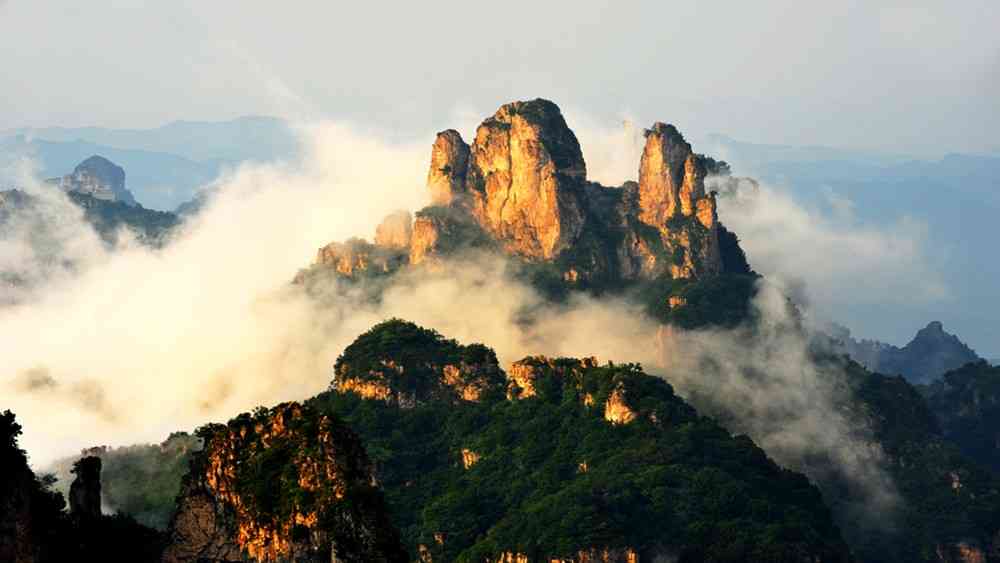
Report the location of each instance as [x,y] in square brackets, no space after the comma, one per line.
[521,187]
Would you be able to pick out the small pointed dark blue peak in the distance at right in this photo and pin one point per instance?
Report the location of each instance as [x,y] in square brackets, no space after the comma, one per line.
[930,354]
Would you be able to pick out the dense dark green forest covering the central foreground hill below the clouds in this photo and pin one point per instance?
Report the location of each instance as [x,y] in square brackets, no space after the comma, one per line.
[553,476]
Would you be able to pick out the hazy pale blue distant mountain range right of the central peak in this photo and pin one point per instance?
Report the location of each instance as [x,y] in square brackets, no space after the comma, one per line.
[957,197]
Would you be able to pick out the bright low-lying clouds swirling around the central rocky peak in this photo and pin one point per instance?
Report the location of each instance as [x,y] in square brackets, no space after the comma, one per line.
[136,343]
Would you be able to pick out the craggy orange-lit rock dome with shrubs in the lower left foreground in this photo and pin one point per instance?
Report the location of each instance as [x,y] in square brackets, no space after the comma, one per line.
[281,485]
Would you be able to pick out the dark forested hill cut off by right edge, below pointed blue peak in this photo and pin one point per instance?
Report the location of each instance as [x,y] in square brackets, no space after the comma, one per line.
[966,402]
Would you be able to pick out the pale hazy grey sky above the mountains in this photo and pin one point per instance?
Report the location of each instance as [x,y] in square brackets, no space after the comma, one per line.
[919,77]
